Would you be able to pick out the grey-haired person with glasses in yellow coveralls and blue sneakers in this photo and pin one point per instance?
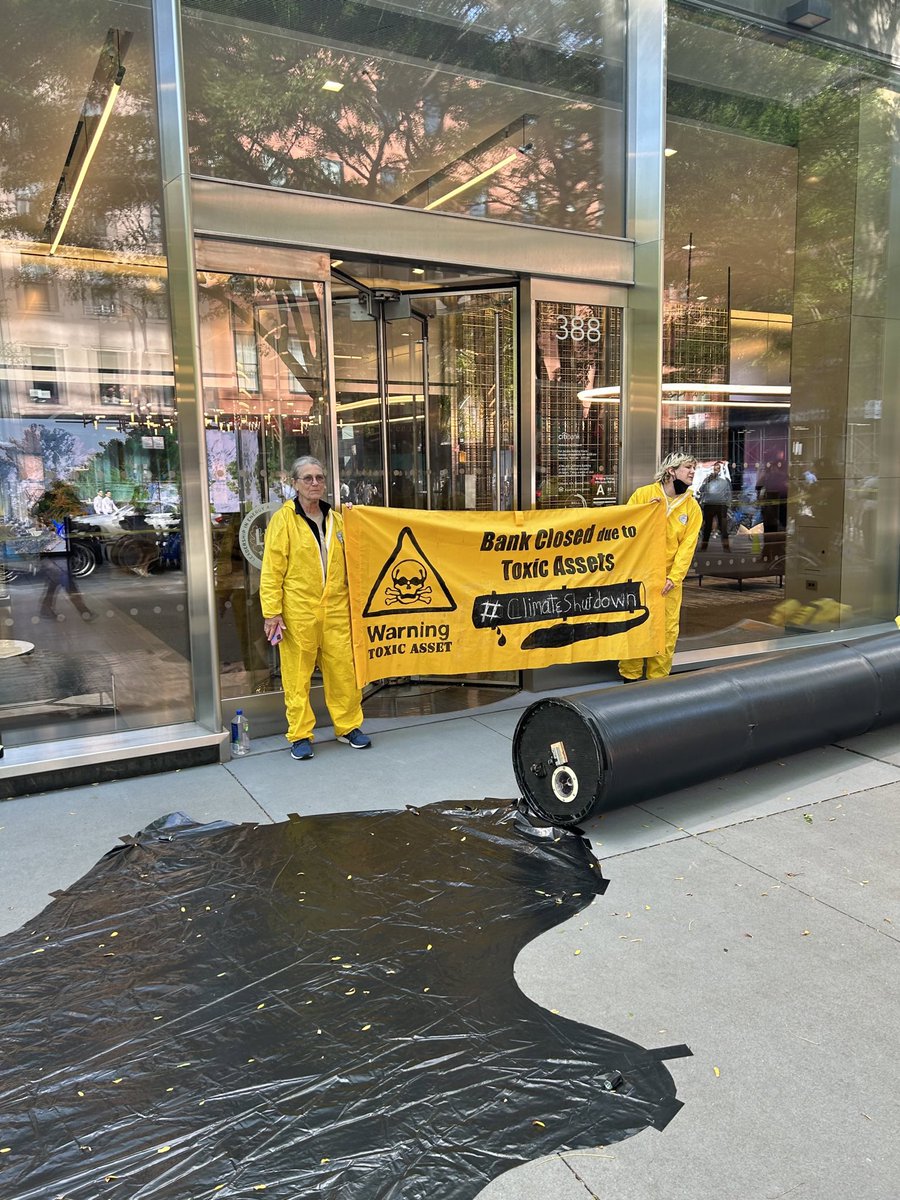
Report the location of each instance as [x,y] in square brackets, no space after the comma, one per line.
[307,608]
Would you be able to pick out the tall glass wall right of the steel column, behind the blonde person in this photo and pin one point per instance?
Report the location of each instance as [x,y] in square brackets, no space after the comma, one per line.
[778,319]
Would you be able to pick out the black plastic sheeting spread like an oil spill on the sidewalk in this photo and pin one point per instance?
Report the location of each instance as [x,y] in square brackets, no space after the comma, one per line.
[323,1007]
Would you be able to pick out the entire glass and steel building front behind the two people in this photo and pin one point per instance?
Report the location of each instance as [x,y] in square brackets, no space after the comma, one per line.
[428,374]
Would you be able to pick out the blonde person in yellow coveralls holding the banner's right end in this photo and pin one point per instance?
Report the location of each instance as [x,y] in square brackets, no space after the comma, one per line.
[685,519]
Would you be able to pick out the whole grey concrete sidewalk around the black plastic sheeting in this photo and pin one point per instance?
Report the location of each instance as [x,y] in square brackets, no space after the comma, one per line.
[755,919]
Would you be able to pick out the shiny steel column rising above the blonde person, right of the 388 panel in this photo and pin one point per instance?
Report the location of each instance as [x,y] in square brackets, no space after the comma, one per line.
[646,118]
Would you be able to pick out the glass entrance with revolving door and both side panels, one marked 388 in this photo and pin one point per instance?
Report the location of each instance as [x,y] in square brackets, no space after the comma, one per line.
[404,379]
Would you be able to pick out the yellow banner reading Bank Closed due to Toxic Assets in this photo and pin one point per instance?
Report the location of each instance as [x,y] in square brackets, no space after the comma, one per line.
[451,593]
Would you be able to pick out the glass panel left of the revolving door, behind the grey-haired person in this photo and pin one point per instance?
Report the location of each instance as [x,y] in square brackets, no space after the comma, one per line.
[254,435]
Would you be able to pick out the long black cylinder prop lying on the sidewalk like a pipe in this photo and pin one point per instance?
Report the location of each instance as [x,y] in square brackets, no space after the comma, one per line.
[616,747]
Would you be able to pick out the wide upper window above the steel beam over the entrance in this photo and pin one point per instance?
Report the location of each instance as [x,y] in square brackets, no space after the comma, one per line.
[511,113]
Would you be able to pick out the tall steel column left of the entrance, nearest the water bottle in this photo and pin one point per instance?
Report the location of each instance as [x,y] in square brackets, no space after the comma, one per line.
[187,349]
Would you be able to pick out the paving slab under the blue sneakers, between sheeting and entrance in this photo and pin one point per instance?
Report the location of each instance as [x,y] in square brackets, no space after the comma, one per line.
[459,760]
